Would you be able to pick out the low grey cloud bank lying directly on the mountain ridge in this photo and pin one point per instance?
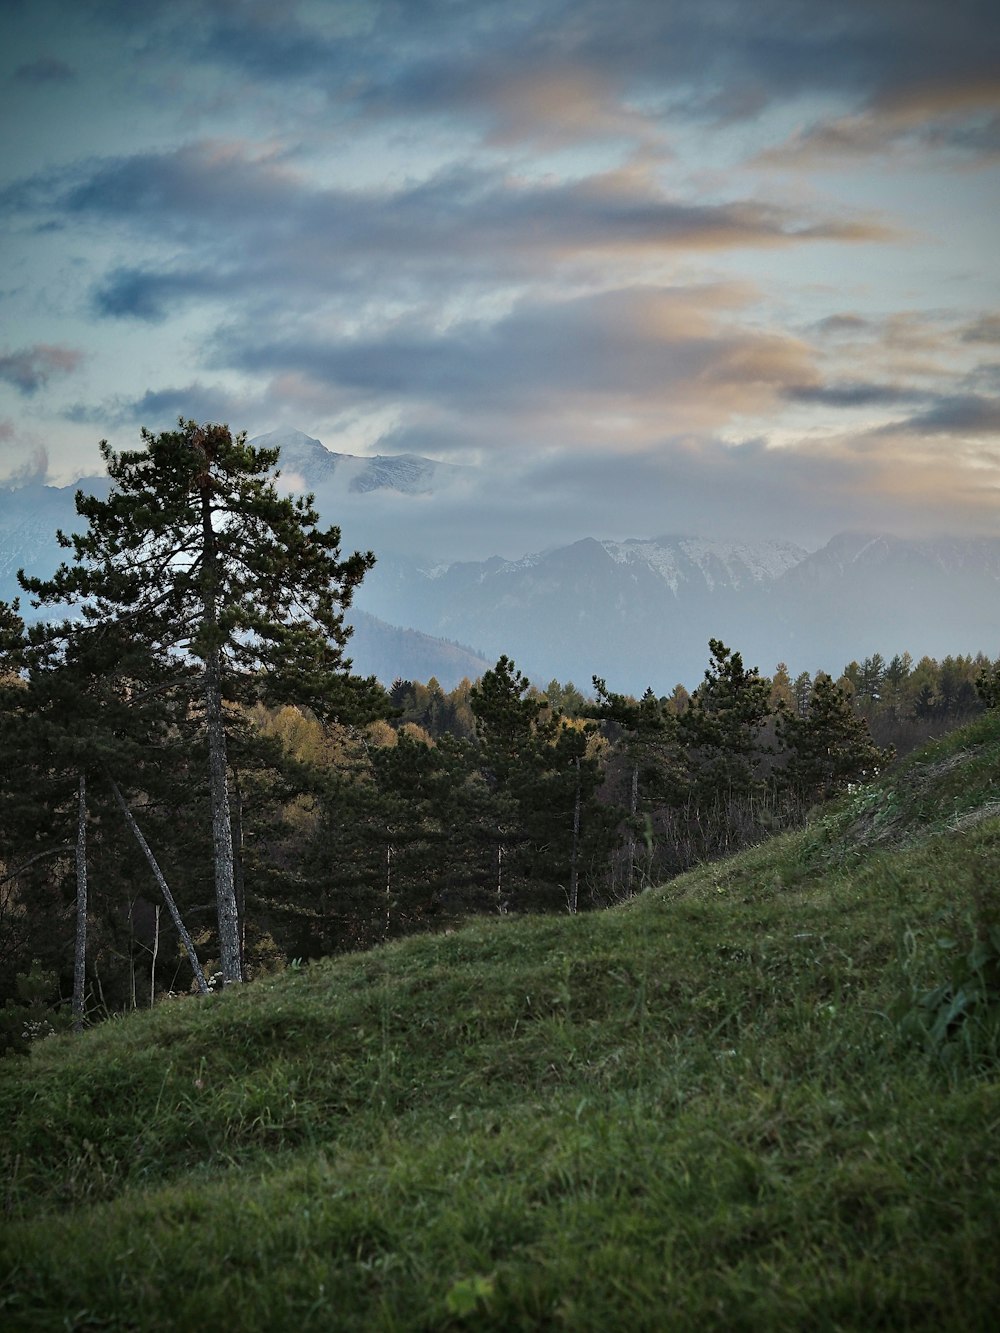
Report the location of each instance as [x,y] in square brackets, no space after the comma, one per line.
[681,486]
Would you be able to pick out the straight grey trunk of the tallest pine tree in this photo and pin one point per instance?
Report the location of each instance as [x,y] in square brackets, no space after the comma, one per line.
[222,818]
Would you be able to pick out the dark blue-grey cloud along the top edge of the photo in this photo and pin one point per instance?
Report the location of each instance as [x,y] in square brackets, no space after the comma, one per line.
[430,59]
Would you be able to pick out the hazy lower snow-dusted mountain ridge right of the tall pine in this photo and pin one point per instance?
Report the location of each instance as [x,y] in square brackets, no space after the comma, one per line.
[642,613]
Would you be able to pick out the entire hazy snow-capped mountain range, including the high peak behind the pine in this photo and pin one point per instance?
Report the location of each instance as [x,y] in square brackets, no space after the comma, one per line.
[637,613]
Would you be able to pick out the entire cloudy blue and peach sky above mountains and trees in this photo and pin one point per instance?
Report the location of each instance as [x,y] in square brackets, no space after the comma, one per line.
[714,267]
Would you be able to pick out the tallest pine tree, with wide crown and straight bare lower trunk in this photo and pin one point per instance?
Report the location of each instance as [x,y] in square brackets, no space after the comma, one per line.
[229,587]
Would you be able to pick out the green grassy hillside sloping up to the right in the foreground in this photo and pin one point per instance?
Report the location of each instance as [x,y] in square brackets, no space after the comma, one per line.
[762,1098]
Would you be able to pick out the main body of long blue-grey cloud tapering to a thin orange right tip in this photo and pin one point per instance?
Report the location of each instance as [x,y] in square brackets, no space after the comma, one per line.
[201,189]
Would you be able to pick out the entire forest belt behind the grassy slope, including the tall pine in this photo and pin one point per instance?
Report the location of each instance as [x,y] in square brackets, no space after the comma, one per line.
[197,787]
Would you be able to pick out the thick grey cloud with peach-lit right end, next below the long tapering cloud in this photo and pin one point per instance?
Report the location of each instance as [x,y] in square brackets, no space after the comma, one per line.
[627,346]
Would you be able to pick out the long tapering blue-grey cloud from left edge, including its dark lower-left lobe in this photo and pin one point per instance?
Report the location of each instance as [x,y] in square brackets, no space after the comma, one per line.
[246,225]
